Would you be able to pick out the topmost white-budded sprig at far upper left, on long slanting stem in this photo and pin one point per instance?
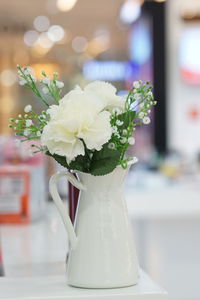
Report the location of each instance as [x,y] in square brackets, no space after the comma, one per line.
[27,78]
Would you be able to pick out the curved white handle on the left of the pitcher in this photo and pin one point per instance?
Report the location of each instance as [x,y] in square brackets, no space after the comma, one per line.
[59,204]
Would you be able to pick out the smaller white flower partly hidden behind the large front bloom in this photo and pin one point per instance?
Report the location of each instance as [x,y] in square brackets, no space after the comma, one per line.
[107,93]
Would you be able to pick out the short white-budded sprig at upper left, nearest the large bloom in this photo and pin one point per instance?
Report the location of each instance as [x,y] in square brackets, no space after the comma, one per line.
[52,87]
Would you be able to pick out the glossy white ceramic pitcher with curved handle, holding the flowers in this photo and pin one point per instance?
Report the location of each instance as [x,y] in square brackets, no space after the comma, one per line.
[102,252]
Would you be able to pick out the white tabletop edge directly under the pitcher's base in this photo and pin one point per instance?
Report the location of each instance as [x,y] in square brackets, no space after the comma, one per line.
[55,288]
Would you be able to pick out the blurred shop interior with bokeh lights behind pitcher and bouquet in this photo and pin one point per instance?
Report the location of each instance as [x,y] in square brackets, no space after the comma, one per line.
[117,41]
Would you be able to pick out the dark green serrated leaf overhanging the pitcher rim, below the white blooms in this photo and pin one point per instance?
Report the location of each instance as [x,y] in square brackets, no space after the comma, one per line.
[104,161]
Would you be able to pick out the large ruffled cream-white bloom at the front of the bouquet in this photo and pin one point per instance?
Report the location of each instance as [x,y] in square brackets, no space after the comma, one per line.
[78,117]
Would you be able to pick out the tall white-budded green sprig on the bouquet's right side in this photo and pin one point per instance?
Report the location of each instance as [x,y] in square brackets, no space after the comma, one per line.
[137,108]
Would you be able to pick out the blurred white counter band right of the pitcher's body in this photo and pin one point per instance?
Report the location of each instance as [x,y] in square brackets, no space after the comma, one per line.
[170,201]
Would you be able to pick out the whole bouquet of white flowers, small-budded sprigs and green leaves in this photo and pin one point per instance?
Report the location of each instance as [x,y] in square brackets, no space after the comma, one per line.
[87,130]
